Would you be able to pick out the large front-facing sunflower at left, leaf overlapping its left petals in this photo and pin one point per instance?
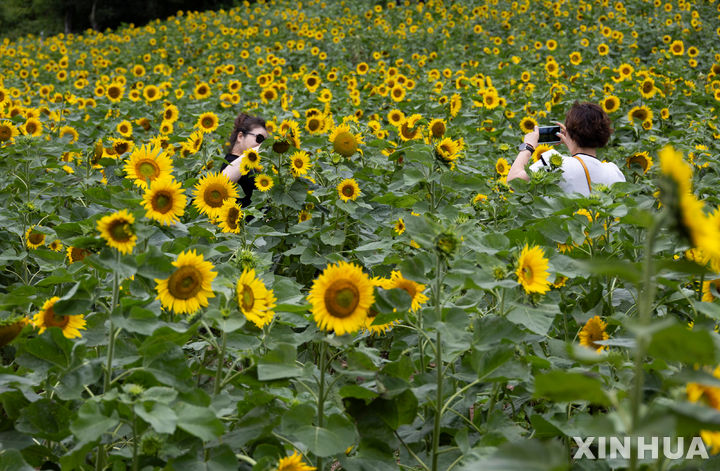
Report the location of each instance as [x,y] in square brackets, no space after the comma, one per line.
[189,286]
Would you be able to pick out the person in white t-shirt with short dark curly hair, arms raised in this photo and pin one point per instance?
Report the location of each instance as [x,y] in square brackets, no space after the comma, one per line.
[586,128]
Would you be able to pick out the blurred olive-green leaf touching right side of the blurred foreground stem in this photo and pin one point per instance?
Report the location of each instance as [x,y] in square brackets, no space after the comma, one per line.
[678,343]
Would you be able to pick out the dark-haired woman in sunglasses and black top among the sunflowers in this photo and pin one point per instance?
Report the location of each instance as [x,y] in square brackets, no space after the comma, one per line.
[249,132]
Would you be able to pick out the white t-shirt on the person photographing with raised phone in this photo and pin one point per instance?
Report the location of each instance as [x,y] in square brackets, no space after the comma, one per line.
[574,180]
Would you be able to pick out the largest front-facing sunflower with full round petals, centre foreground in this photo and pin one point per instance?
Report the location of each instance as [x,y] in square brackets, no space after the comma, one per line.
[341,297]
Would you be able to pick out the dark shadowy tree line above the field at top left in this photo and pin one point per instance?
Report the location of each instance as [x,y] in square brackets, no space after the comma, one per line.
[49,17]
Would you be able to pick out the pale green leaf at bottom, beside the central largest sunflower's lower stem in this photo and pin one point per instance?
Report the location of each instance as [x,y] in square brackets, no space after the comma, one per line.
[335,437]
